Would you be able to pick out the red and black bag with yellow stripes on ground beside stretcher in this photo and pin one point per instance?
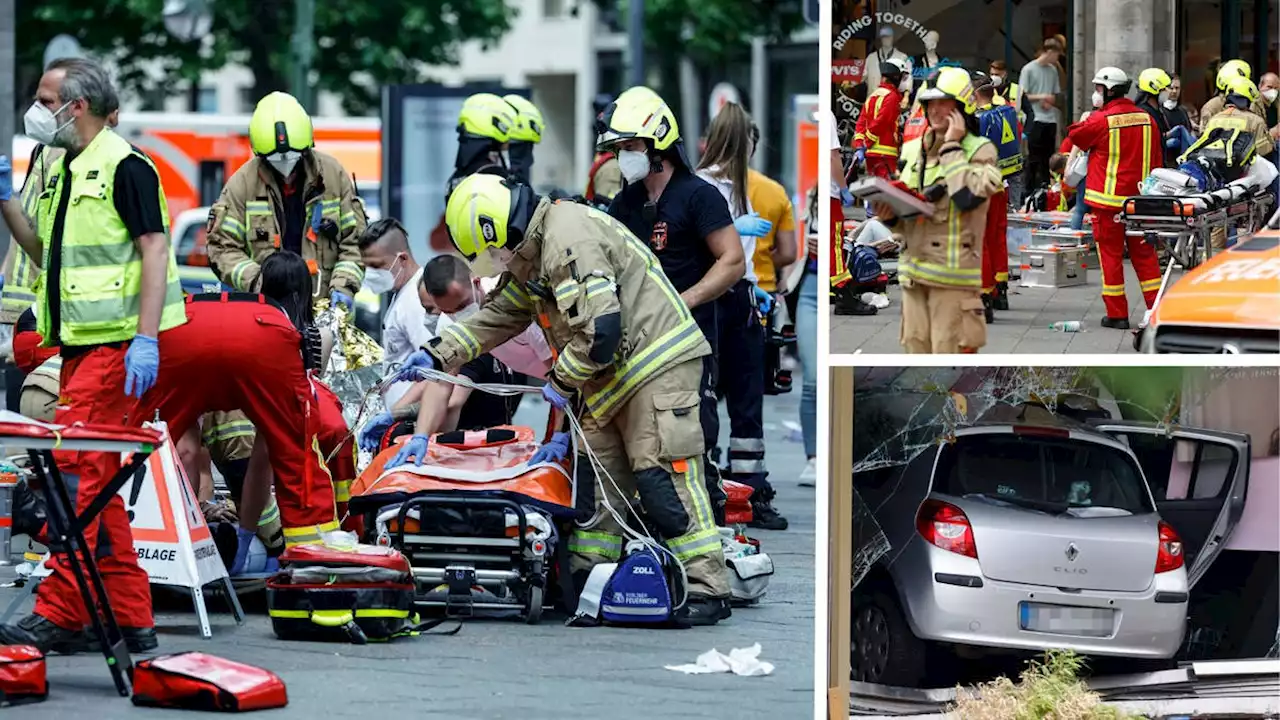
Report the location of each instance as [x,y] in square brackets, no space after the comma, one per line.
[353,595]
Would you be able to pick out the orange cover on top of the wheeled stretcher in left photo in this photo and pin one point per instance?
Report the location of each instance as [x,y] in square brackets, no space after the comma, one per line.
[543,485]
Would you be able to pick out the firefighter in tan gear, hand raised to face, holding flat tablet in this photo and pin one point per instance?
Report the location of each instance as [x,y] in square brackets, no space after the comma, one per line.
[956,170]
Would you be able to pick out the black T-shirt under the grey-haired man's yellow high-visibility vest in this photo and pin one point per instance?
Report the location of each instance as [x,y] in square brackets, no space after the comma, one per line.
[136,194]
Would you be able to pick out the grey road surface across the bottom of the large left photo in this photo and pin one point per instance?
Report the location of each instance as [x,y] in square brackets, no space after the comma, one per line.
[508,669]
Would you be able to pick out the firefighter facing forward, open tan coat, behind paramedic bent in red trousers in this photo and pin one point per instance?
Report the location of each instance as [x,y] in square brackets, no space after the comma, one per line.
[289,197]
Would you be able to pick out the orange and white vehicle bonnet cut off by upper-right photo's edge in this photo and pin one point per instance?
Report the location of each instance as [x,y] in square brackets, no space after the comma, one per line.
[1237,289]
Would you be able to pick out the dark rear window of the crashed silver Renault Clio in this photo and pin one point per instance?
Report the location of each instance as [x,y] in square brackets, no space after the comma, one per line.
[1058,473]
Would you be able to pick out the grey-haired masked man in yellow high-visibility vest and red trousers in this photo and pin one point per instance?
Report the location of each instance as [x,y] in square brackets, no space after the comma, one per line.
[111,291]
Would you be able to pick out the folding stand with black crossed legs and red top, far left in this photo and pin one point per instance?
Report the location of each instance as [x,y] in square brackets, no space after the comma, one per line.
[42,440]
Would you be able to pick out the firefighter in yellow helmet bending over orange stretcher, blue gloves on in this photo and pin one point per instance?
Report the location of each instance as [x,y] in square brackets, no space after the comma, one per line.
[629,364]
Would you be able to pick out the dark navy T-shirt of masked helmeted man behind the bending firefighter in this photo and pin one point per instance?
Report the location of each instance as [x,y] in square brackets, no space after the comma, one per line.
[676,229]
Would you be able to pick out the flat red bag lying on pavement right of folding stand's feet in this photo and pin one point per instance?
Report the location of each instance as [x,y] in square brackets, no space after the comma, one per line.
[194,681]
